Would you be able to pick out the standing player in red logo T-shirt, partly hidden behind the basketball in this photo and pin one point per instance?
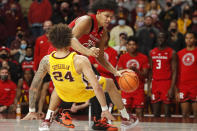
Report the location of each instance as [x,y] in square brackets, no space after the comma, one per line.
[138,62]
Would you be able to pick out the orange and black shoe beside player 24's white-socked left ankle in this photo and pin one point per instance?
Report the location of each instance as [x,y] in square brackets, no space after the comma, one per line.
[64,119]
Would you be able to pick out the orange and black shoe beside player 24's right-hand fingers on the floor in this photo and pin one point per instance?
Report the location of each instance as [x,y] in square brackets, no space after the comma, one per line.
[103,125]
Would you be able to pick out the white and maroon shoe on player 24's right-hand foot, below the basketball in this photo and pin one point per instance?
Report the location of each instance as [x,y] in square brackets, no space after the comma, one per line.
[128,124]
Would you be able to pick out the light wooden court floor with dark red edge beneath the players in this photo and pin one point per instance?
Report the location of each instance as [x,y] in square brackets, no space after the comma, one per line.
[8,122]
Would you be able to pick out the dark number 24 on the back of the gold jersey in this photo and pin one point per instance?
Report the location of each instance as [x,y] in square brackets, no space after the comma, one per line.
[58,76]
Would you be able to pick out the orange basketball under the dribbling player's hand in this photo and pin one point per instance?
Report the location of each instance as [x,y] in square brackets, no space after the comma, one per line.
[128,82]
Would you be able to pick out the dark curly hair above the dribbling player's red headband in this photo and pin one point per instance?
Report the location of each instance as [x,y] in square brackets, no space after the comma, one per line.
[104,5]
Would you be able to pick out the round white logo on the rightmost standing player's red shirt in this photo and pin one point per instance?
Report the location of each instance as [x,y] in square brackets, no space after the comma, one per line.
[188,59]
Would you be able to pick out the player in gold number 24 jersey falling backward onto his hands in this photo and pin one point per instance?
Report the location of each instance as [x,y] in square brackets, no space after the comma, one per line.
[68,72]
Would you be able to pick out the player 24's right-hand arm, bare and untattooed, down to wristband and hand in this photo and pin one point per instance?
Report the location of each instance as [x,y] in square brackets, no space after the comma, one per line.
[84,66]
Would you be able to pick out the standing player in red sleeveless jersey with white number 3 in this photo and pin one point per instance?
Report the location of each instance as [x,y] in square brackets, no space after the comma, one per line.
[163,62]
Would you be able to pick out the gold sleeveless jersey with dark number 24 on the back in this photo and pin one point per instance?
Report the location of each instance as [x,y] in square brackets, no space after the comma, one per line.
[69,85]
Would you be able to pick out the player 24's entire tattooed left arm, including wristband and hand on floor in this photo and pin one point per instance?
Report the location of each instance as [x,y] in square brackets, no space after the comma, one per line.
[33,91]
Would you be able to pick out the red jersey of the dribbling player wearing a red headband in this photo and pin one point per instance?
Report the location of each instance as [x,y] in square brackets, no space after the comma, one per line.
[88,40]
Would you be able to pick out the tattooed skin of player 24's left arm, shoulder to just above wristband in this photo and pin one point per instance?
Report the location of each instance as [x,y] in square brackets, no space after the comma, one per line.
[42,70]
